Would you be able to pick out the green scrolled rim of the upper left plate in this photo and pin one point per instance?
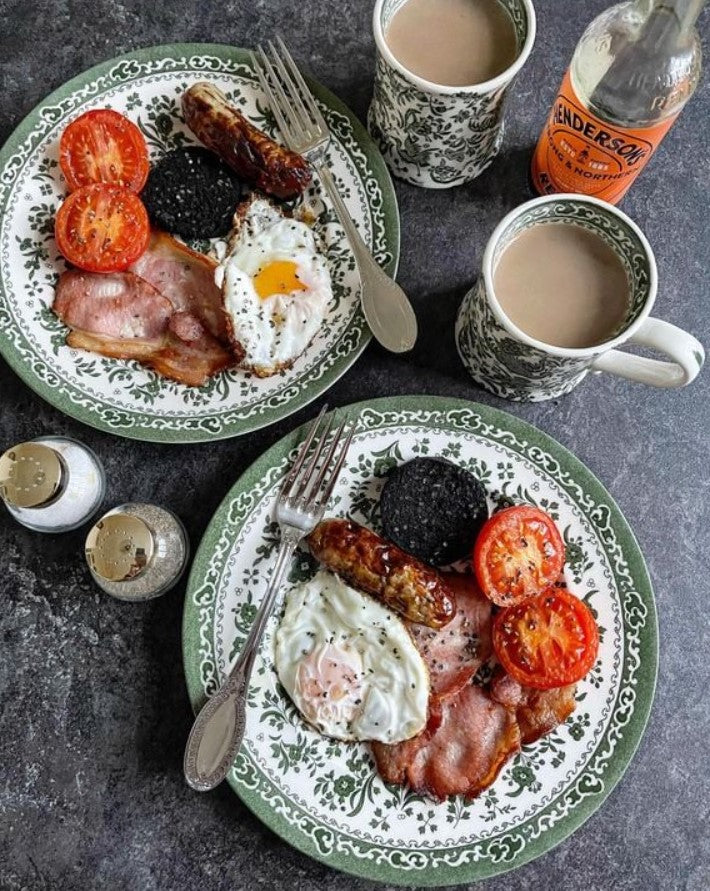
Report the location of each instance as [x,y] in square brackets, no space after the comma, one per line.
[140,424]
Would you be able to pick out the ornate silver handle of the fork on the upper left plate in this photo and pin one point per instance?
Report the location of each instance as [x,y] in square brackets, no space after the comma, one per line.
[386,307]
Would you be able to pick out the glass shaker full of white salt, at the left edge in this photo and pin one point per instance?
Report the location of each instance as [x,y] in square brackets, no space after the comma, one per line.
[51,484]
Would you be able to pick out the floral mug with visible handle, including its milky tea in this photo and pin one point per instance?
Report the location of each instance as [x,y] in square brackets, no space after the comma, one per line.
[566,281]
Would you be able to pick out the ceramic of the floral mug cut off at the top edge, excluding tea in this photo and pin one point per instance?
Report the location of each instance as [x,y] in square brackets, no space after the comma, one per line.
[440,136]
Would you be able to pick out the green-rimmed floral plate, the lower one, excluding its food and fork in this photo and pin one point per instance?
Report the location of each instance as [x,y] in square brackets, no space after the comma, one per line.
[324,797]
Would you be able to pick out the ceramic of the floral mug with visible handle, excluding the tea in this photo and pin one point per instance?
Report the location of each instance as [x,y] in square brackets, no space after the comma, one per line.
[504,359]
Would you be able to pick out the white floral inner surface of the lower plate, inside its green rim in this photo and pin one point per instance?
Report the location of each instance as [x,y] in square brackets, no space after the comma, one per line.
[238,580]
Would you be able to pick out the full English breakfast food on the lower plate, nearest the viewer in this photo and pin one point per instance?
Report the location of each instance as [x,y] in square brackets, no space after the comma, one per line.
[445,670]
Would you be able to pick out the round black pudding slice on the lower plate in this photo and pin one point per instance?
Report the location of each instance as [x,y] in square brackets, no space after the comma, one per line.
[433,509]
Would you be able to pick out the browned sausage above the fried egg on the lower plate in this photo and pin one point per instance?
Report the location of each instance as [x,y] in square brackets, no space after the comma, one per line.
[380,568]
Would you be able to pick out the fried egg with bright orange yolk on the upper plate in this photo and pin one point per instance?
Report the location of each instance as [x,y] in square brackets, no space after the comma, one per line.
[276,287]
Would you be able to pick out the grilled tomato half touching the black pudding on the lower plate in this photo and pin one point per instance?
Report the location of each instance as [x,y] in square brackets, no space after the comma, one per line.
[519,552]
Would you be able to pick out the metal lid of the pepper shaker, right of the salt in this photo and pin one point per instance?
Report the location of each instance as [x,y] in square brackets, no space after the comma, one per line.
[119,547]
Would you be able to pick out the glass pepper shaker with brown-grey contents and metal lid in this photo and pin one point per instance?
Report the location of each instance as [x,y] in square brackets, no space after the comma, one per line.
[137,551]
